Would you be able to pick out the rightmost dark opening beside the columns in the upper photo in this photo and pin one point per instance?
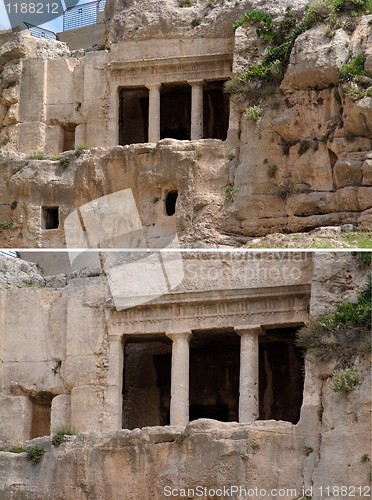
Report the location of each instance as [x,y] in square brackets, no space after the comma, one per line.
[216,110]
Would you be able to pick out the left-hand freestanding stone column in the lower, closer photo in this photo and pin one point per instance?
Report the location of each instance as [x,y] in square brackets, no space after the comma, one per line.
[179,408]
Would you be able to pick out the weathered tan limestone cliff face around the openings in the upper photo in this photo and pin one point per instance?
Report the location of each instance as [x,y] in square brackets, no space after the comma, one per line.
[306,163]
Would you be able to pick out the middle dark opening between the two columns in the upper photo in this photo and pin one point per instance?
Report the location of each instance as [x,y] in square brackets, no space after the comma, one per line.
[175,111]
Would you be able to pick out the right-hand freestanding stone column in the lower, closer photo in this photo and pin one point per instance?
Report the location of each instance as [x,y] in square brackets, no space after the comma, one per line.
[248,396]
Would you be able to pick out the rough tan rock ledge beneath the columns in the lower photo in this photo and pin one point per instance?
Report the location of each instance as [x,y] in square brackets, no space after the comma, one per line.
[267,455]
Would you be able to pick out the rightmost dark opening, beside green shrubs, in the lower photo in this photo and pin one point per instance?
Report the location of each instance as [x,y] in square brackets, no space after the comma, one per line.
[281,365]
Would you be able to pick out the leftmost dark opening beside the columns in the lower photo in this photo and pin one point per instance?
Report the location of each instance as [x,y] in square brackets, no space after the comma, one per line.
[147,382]
